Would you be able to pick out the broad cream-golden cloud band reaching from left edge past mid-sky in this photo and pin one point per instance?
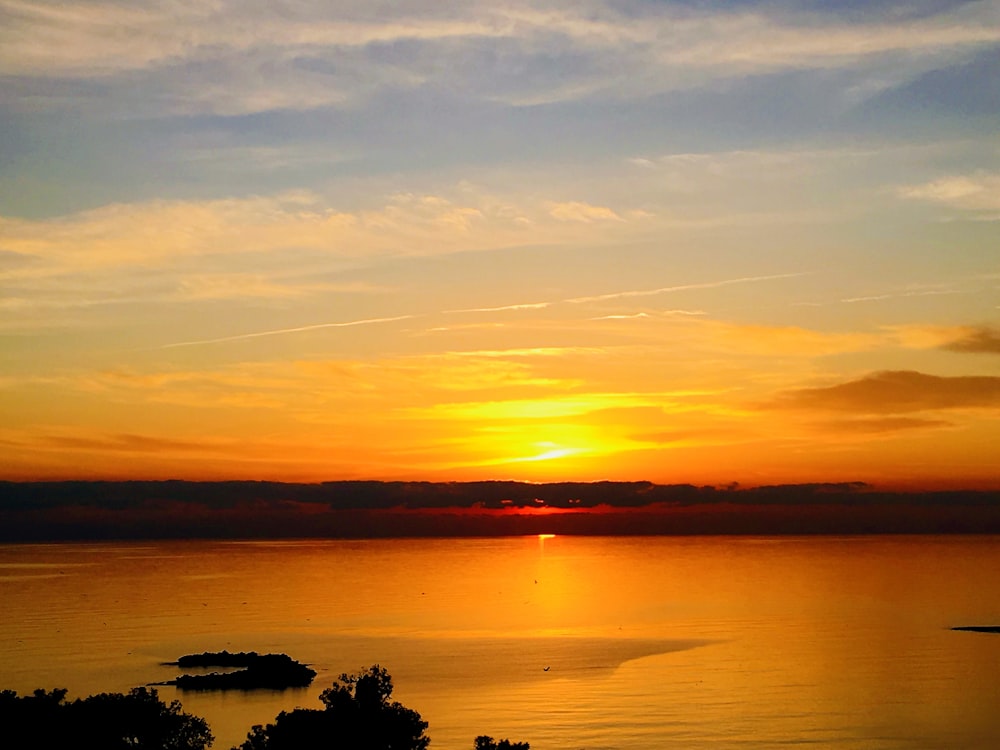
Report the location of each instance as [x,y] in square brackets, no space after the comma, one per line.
[260,247]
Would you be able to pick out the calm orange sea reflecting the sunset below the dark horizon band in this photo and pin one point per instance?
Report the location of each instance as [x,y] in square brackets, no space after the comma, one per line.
[657,642]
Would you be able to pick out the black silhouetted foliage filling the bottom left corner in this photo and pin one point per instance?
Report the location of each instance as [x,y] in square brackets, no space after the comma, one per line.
[138,720]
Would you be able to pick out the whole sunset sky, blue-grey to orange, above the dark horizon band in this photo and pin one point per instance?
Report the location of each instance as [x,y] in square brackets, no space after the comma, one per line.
[703,242]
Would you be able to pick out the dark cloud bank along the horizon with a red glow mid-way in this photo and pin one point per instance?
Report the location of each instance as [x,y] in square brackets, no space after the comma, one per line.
[81,510]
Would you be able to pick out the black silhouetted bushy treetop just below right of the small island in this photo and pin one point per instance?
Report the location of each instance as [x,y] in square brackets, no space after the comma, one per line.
[357,715]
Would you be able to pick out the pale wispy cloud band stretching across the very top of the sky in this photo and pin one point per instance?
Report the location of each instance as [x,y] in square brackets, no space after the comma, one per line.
[198,59]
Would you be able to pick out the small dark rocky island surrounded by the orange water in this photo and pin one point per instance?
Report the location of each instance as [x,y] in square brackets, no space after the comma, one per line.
[252,671]
